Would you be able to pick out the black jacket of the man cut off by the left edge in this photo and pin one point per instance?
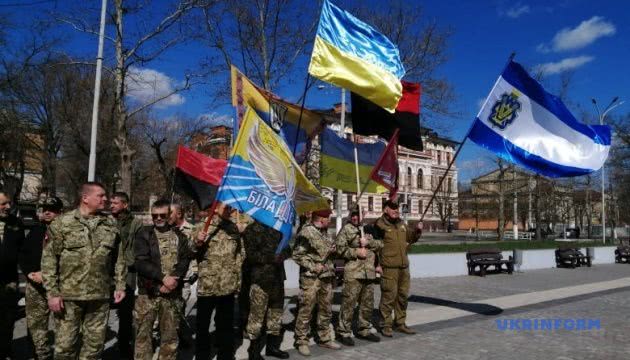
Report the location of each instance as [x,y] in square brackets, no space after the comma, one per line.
[12,241]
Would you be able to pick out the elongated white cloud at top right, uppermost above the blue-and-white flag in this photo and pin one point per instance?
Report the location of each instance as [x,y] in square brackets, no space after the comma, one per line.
[587,32]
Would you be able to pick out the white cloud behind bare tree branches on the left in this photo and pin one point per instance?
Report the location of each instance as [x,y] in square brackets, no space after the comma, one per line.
[147,85]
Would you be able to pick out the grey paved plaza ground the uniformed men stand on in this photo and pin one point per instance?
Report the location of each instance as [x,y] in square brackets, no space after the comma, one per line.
[465,317]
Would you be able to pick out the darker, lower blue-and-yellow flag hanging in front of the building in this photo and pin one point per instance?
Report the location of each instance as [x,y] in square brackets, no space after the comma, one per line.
[337,169]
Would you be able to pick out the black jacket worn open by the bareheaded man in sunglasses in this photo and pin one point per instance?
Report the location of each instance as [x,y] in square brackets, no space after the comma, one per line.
[148,263]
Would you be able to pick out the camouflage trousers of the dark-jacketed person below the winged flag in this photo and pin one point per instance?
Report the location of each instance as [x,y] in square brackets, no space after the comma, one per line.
[264,303]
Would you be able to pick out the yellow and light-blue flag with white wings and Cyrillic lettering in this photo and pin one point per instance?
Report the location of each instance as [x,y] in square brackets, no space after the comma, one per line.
[264,181]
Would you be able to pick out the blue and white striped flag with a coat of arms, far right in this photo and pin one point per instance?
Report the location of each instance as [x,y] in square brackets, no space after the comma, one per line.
[524,124]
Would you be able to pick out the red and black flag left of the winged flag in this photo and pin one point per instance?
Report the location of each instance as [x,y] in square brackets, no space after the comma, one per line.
[198,176]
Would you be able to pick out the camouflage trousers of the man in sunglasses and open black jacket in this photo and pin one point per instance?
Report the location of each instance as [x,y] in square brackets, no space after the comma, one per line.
[167,311]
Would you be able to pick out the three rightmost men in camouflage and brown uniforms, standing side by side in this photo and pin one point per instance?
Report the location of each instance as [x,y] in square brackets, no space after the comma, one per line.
[382,252]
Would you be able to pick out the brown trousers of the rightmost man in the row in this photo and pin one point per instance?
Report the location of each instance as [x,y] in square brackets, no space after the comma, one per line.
[394,294]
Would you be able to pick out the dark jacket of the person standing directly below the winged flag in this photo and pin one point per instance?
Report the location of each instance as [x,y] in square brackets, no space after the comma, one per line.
[261,243]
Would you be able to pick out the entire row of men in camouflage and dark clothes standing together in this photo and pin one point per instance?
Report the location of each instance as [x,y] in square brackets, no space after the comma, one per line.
[87,256]
